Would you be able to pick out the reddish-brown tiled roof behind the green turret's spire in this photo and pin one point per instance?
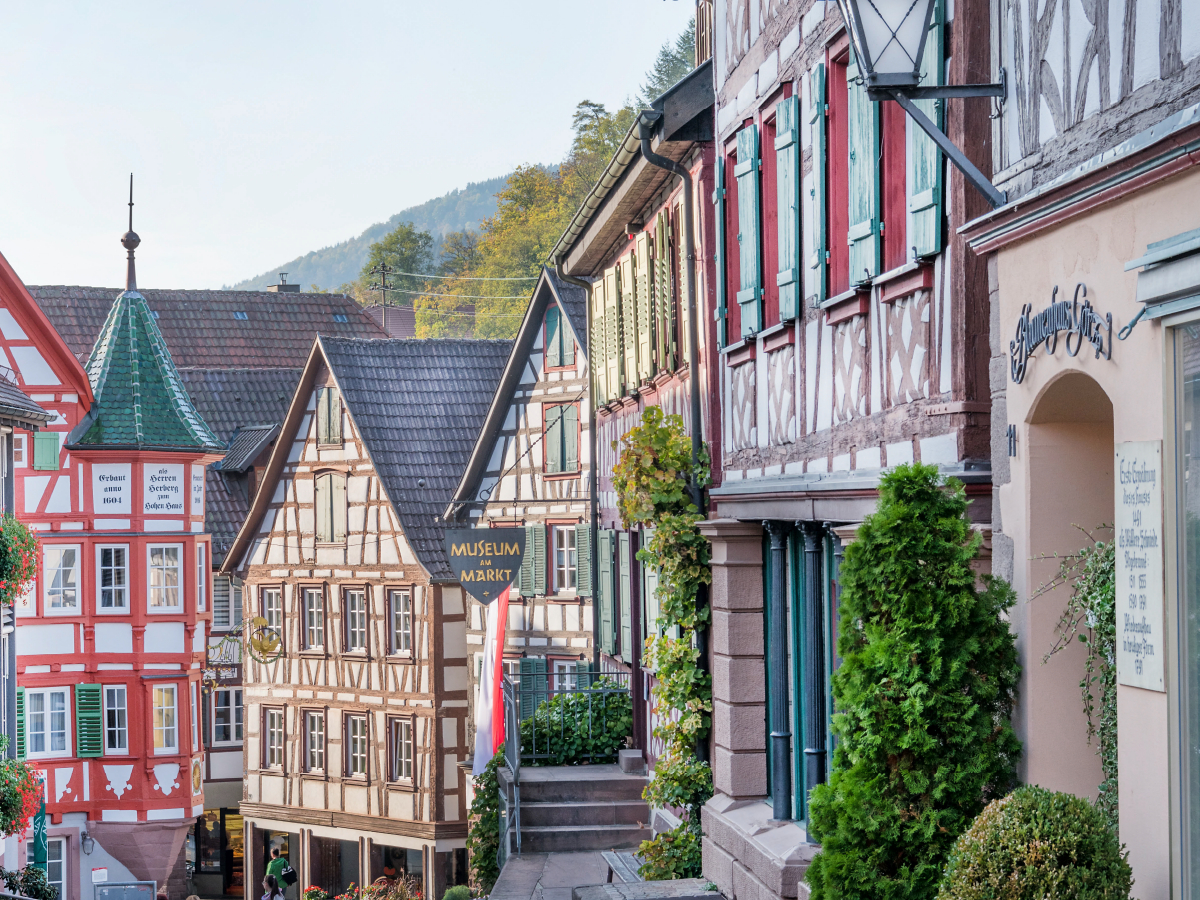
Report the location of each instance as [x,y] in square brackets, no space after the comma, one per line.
[206,329]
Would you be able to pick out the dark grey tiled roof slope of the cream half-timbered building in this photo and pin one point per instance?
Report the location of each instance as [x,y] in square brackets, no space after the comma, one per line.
[419,406]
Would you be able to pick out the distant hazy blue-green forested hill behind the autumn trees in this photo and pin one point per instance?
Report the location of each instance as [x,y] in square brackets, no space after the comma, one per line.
[333,267]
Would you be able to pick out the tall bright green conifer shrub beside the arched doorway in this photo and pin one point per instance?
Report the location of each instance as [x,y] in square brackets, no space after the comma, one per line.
[923,698]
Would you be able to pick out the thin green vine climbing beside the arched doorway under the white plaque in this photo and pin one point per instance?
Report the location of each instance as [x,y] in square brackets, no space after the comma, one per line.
[1091,617]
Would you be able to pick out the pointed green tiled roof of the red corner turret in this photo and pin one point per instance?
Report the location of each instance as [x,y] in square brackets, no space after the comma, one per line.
[140,397]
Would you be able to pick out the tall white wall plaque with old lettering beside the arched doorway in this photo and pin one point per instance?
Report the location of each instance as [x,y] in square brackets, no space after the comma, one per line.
[1139,551]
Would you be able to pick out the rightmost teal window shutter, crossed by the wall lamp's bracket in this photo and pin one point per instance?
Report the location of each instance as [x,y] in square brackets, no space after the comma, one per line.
[925,160]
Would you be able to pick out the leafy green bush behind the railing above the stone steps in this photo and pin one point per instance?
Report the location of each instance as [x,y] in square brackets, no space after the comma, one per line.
[580,728]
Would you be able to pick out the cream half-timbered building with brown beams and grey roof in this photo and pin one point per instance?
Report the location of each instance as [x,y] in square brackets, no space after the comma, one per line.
[355,734]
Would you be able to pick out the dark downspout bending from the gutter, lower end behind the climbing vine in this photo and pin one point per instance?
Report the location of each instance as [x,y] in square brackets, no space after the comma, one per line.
[646,123]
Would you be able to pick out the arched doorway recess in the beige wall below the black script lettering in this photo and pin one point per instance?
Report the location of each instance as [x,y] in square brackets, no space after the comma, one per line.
[1071,460]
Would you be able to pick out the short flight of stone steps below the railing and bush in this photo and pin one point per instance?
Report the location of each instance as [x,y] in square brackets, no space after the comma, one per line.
[580,808]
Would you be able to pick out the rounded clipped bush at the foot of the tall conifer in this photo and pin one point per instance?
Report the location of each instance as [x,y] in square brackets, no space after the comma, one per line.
[1039,844]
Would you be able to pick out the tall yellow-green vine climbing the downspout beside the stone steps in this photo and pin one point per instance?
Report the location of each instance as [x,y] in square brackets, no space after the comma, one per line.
[653,481]
